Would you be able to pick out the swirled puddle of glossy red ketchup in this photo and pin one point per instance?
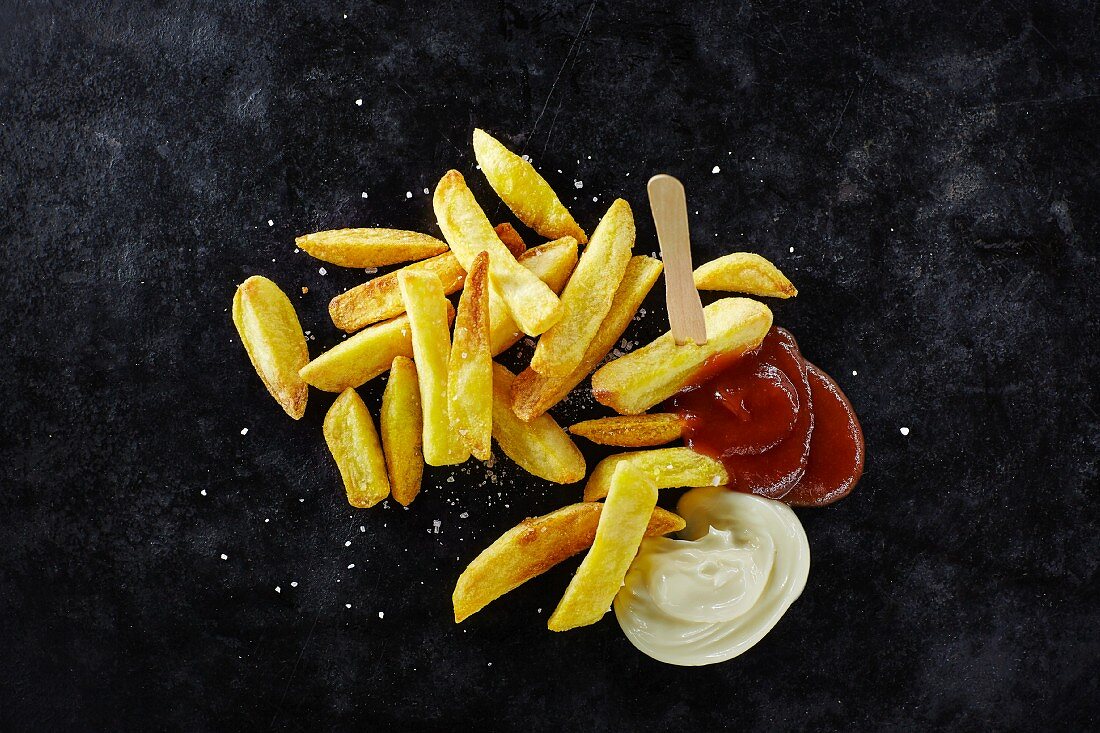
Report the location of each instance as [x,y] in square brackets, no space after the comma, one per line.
[782,426]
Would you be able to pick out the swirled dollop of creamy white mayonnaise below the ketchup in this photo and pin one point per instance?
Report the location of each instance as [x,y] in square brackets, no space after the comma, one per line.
[707,598]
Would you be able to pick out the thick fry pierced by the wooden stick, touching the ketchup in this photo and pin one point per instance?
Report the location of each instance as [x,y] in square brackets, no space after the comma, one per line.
[634,384]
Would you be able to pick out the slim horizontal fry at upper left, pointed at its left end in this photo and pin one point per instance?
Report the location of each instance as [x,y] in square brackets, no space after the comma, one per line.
[369,248]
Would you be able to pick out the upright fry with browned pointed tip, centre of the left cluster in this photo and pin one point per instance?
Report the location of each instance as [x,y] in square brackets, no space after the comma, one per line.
[470,370]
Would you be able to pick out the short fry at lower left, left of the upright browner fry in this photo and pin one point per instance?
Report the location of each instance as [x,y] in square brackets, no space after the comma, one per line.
[350,435]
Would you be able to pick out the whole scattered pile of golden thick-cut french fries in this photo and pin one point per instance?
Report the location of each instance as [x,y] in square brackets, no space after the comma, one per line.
[447,399]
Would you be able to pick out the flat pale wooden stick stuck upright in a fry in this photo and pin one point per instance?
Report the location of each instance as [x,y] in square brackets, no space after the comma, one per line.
[670,214]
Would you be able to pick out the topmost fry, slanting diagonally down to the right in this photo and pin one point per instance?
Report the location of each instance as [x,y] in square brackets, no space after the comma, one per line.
[526,193]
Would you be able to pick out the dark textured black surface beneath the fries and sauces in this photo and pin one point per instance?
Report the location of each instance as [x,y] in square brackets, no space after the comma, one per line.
[934,170]
